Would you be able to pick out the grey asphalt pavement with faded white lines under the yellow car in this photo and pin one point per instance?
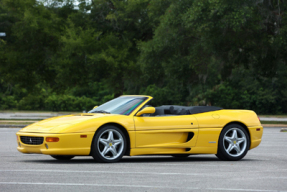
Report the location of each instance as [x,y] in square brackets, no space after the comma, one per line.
[263,169]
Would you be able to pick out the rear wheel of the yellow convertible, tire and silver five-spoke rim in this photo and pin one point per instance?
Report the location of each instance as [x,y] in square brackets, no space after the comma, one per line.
[233,143]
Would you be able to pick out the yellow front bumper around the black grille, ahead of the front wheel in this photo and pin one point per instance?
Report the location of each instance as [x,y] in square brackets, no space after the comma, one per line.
[68,144]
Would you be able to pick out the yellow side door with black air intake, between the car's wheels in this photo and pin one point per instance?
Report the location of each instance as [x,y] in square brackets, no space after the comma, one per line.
[166,131]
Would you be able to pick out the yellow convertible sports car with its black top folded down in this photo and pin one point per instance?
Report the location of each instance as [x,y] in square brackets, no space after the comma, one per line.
[127,125]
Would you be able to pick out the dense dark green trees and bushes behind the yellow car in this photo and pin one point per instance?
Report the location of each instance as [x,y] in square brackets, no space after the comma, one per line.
[227,53]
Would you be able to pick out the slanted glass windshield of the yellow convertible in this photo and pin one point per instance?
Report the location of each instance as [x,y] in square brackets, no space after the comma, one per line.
[121,105]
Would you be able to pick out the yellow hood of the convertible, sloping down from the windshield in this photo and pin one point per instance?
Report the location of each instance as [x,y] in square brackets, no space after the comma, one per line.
[57,124]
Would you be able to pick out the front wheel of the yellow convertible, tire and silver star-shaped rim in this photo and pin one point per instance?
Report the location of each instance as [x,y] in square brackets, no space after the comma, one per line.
[109,144]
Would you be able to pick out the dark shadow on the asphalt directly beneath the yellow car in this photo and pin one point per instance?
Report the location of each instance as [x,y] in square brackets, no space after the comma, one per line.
[134,159]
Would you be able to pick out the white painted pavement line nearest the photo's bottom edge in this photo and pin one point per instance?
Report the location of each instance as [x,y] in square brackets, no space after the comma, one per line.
[99,185]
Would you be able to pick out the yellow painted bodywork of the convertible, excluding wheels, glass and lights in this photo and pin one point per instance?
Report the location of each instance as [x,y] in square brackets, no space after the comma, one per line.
[148,135]
